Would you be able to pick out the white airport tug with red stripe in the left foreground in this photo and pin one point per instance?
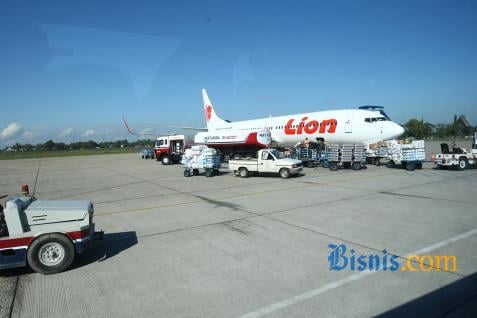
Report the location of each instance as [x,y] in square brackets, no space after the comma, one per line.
[44,234]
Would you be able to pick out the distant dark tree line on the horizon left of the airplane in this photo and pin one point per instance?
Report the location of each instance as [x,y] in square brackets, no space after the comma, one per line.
[50,145]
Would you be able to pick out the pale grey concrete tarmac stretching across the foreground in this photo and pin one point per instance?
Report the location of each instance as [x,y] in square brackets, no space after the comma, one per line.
[231,247]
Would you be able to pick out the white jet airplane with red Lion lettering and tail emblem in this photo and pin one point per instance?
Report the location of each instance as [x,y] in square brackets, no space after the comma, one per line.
[333,126]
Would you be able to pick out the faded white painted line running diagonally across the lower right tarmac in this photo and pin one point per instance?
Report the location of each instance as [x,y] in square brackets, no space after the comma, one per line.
[320,290]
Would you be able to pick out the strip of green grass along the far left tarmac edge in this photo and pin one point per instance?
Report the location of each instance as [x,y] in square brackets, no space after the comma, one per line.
[63,153]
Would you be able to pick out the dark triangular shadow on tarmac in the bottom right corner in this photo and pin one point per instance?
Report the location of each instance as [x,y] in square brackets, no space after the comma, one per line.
[458,299]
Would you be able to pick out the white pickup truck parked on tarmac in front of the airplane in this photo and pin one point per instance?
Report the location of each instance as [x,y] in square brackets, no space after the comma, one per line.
[268,161]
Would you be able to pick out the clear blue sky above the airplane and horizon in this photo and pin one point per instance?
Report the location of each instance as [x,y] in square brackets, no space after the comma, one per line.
[69,70]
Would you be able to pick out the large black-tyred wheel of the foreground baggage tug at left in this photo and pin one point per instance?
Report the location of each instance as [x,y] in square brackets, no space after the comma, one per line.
[51,254]
